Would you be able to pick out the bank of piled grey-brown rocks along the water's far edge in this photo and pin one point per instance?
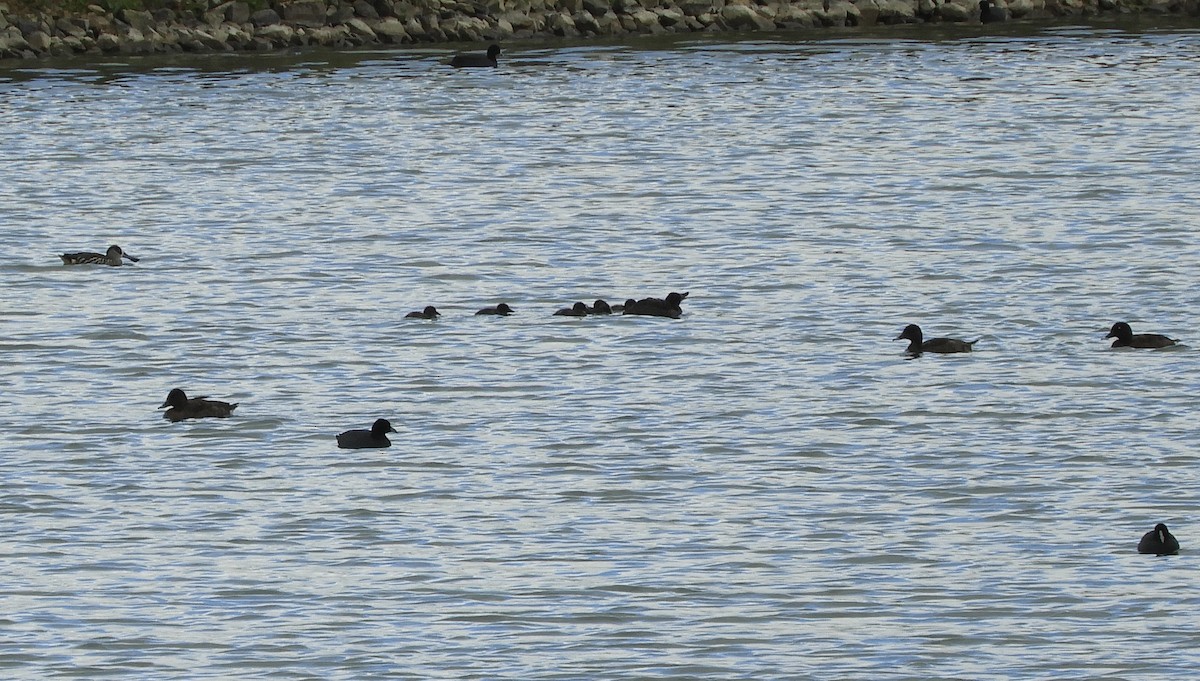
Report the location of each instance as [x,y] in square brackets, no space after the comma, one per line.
[214,26]
